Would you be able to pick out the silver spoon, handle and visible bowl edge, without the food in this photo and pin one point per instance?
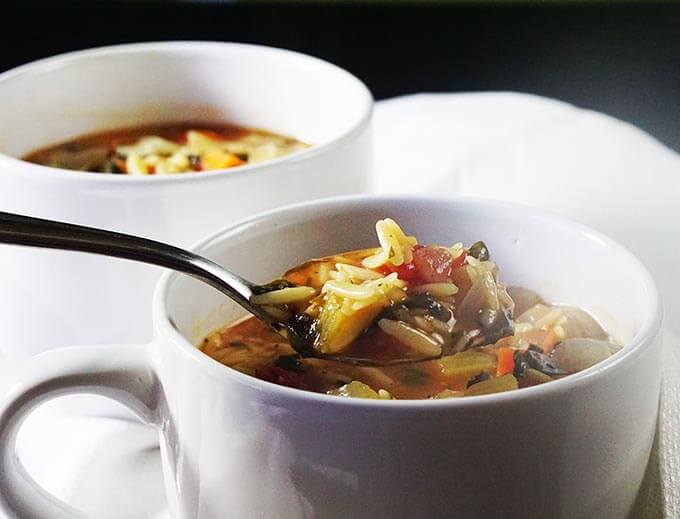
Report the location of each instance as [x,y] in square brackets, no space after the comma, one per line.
[36,232]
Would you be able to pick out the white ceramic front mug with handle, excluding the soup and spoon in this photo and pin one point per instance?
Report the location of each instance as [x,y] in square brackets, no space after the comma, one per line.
[236,446]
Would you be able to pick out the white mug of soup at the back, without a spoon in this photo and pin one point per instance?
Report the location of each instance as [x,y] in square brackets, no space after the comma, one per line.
[193,85]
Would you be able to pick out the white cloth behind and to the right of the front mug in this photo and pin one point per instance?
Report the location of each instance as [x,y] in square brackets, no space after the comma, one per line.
[582,164]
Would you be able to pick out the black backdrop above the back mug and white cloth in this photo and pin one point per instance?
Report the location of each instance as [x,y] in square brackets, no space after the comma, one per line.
[622,59]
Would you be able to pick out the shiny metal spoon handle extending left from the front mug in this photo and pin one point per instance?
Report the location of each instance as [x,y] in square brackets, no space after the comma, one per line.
[35,232]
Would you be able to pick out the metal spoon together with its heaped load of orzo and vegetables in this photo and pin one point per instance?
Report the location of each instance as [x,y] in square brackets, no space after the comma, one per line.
[337,308]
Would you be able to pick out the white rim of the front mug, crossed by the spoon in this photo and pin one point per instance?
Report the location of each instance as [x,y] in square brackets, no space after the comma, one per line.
[643,338]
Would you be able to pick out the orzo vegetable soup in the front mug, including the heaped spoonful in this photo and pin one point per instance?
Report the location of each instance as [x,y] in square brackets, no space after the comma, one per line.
[442,309]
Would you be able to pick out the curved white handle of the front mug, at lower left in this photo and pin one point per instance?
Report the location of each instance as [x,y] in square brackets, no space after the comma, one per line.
[121,372]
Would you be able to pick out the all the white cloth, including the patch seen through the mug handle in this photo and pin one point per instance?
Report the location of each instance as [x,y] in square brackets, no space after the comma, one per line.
[522,148]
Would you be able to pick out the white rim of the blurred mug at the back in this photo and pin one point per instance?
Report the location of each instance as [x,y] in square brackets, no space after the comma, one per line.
[45,64]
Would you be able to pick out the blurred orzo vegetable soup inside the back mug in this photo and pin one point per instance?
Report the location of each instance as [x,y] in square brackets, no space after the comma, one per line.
[166,149]
